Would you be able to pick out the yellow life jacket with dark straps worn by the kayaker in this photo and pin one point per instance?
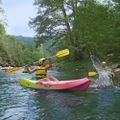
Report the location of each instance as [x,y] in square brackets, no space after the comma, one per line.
[41,72]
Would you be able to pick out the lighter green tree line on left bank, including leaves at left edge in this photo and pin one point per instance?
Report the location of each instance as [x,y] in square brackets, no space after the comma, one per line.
[14,52]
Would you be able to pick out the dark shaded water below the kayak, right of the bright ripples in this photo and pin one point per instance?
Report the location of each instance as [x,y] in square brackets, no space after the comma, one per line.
[69,105]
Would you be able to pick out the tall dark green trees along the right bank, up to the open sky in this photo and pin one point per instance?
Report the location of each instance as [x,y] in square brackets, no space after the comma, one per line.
[84,26]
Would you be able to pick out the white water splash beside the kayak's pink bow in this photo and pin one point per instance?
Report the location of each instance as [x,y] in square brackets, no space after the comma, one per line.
[104,74]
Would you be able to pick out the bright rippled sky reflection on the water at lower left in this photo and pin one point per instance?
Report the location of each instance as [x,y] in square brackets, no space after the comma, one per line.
[11,100]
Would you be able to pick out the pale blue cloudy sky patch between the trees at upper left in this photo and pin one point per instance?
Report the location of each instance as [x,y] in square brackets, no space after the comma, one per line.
[18,14]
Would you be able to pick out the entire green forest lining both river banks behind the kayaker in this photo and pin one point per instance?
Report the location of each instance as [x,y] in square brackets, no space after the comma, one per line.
[83,26]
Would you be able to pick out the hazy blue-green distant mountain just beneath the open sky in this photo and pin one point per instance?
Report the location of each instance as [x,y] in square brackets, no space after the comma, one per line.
[28,41]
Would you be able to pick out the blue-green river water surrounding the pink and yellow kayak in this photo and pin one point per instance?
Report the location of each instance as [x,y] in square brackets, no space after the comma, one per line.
[18,103]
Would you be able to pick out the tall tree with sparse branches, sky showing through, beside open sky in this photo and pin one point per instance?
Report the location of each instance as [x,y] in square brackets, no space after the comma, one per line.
[55,21]
